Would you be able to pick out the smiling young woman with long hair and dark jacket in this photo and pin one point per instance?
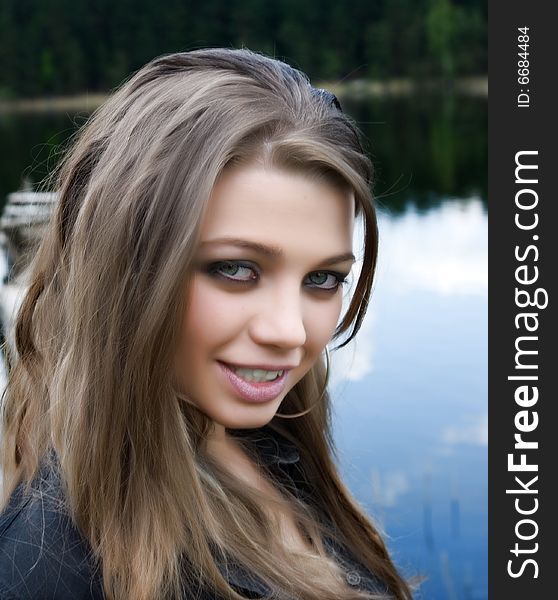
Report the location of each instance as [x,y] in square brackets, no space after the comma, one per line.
[166,425]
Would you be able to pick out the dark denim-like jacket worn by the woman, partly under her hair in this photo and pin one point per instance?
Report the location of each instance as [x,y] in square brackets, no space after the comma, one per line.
[43,556]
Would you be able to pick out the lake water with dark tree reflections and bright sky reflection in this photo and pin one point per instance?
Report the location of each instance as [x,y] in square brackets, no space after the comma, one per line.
[410,394]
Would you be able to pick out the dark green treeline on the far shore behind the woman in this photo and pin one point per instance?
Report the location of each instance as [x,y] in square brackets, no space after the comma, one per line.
[60,47]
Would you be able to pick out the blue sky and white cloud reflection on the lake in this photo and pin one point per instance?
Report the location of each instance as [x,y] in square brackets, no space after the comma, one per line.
[410,396]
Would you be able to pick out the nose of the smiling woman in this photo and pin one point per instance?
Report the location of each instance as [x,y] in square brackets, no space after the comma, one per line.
[280,320]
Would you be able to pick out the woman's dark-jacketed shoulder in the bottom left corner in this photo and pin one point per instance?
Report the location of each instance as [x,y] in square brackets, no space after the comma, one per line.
[42,554]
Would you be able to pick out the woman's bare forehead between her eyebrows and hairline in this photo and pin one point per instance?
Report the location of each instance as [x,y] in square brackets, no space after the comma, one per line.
[279,207]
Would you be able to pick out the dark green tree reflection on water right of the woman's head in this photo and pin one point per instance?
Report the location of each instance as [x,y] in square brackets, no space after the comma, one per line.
[425,148]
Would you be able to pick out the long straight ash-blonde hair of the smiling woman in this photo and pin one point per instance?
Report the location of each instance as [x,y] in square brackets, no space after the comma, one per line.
[95,333]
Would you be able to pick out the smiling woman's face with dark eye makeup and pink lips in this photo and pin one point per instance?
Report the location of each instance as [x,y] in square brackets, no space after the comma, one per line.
[269,296]
